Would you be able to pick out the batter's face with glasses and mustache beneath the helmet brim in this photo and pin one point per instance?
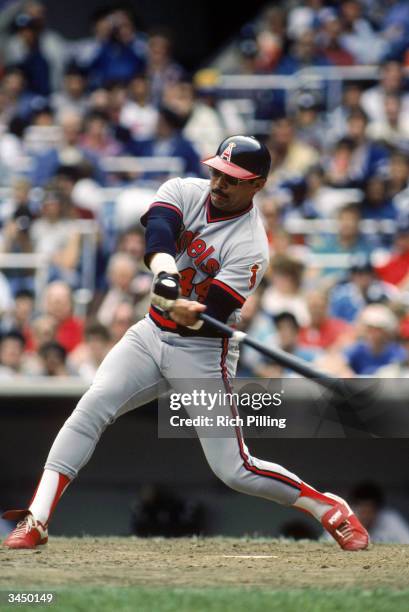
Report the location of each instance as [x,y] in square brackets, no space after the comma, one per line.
[231,194]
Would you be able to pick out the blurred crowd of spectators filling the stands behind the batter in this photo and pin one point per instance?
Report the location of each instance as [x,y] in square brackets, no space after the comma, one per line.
[79,120]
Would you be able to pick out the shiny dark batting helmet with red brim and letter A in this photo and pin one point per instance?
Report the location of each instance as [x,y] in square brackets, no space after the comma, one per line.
[243,157]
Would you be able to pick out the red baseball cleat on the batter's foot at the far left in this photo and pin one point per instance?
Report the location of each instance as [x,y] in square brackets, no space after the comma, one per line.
[29,533]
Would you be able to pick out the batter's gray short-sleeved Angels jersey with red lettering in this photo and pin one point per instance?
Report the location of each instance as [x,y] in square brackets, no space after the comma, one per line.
[229,251]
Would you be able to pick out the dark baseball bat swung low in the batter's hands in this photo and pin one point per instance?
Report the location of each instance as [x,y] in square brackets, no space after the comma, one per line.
[281,357]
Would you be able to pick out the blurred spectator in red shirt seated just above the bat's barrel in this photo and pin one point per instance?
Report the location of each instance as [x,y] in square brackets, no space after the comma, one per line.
[323,331]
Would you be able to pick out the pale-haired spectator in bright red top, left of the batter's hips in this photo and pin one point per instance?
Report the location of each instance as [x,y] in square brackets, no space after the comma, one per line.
[59,305]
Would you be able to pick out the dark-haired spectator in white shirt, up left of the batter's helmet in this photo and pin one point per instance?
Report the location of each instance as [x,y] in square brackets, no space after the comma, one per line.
[137,114]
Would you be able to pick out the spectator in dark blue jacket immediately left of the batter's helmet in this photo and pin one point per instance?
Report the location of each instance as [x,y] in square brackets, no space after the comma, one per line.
[170,142]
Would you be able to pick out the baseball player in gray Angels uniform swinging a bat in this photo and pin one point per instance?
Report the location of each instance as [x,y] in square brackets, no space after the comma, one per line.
[207,248]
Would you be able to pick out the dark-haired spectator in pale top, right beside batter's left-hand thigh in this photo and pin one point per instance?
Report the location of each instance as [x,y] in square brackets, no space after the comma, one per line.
[88,356]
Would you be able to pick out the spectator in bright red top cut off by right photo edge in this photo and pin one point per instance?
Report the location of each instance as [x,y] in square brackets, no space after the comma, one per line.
[395,269]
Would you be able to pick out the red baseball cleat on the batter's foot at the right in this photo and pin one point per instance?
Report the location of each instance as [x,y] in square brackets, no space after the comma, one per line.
[343,525]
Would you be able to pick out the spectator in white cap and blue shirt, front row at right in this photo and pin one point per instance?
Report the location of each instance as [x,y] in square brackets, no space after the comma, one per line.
[377,347]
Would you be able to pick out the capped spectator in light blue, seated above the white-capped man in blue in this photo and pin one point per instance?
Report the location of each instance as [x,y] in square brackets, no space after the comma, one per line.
[362,287]
